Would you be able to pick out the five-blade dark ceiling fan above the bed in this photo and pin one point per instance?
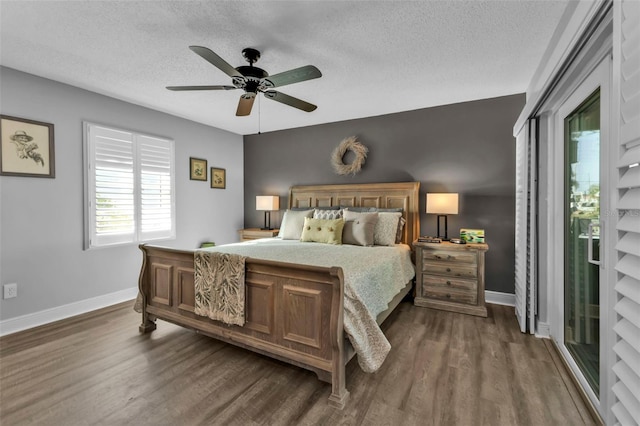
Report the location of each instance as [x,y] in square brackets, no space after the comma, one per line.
[254,80]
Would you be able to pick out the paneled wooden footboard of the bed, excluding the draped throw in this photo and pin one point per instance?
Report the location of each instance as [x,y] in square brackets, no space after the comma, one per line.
[294,313]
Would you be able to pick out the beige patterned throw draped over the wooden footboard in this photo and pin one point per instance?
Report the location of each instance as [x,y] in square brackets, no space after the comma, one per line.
[219,286]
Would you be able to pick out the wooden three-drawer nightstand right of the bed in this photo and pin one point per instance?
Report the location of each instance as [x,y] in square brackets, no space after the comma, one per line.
[451,277]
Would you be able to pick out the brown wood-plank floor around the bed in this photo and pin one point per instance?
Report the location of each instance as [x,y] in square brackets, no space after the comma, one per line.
[443,369]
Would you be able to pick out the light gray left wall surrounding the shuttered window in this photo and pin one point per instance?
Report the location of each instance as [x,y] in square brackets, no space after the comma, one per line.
[41,220]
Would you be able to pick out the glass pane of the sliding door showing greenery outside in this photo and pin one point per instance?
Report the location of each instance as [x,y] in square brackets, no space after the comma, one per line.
[582,237]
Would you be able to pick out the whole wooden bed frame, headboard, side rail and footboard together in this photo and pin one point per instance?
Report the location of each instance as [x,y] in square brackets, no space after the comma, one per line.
[293,313]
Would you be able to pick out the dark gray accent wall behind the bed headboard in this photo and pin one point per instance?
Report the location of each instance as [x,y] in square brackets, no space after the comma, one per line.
[466,148]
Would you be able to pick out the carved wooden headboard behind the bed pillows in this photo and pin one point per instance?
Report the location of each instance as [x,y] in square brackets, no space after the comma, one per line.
[381,195]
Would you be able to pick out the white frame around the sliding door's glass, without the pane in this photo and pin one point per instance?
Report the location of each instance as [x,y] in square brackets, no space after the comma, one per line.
[599,77]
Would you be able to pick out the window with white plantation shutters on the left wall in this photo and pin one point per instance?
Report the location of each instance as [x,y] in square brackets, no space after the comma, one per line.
[129,187]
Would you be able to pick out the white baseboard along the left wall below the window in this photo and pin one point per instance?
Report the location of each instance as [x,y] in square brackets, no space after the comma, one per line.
[24,322]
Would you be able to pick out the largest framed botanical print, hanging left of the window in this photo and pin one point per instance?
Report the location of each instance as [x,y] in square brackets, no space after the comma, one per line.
[26,148]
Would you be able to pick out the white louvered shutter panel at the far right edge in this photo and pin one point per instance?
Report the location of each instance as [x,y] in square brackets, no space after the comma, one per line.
[626,119]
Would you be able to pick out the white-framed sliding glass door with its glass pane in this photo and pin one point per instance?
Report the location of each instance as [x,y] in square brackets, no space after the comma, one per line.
[580,186]
